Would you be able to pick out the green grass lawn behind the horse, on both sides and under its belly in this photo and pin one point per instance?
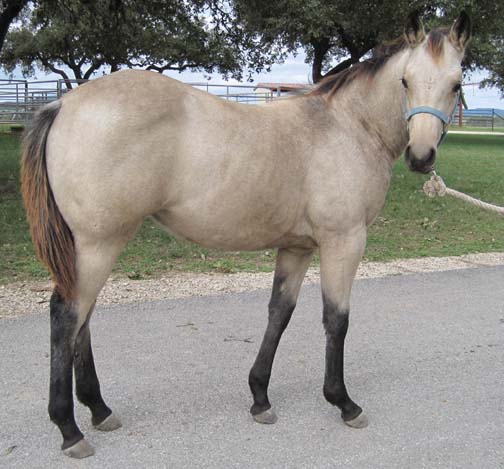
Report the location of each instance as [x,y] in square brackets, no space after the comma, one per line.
[410,225]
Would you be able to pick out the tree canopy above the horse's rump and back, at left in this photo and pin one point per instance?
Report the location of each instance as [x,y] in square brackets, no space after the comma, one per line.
[84,36]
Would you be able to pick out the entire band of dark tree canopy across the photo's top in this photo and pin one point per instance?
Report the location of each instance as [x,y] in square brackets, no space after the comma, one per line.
[233,37]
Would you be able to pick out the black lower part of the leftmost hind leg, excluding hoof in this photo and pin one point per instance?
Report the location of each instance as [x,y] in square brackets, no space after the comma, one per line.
[61,408]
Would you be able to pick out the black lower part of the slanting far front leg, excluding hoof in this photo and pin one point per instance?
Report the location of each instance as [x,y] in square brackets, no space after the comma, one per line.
[280,312]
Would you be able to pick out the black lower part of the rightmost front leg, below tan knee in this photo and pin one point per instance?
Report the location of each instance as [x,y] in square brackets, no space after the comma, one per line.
[336,326]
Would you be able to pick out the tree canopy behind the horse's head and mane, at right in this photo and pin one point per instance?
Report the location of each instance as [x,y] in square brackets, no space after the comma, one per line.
[336,35]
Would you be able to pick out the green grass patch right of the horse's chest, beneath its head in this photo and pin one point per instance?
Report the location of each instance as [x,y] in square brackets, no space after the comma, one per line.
[412,225]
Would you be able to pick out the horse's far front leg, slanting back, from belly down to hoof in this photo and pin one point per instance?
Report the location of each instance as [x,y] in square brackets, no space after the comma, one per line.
[290,270]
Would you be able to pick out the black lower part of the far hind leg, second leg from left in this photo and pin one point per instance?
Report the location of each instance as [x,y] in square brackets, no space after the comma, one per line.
[86,379]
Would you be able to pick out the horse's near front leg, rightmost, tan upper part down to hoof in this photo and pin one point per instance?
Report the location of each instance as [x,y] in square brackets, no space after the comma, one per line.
[339,258]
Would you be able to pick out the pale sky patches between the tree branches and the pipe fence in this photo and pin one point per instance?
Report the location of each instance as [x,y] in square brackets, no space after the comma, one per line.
[295,70]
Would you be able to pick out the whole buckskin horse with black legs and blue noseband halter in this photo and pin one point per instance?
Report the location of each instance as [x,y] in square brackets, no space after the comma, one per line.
[298,174]
